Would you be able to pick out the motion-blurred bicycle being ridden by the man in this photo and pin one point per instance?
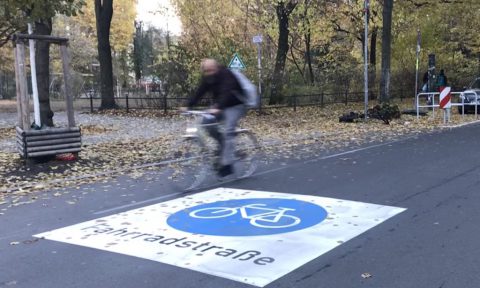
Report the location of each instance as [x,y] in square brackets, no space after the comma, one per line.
[194,155]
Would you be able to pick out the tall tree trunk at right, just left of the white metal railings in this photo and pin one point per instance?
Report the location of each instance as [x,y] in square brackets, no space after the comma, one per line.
[386,50]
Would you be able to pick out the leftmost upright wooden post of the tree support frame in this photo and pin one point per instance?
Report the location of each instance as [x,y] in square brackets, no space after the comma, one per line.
[22,75]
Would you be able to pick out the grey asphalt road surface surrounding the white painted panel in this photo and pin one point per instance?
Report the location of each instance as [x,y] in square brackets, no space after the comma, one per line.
[434,243]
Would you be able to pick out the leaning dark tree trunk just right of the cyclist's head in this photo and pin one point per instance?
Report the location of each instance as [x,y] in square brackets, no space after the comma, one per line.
[283,13]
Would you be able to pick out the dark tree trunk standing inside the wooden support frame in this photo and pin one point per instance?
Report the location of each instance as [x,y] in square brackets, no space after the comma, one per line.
[42,59]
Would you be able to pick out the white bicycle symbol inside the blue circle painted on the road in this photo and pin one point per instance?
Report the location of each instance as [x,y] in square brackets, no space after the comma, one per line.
[263,218]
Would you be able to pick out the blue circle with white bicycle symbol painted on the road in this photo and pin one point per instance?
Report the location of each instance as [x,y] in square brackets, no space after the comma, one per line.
[248,217]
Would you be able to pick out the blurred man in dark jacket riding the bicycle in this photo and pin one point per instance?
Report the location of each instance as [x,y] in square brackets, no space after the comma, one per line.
[227,108]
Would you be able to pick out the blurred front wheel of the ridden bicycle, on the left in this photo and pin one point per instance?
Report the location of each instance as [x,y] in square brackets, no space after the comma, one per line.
[188,168]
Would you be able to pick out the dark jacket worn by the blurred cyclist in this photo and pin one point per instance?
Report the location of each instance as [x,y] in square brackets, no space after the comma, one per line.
[223,86]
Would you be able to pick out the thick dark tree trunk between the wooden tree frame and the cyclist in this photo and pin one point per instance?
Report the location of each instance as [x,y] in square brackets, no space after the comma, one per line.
[103,14]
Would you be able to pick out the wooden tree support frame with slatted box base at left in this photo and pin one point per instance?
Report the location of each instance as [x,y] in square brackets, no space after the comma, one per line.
[50,141]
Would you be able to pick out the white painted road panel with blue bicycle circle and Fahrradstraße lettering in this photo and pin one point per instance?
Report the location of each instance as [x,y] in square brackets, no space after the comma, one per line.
[248,236]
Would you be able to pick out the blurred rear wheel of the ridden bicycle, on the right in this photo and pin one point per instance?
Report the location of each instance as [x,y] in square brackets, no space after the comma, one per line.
[246,153]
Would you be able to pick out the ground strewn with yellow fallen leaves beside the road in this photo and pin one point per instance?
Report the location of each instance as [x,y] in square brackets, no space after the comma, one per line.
[282,133]
